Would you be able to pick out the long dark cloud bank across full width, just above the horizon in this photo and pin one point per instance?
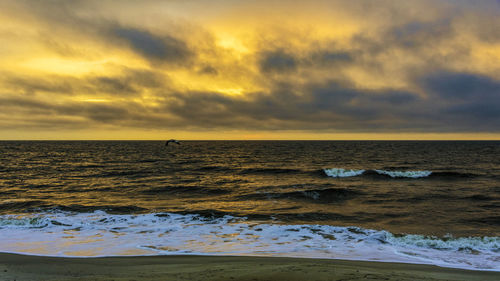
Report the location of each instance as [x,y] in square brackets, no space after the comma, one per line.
[455,102]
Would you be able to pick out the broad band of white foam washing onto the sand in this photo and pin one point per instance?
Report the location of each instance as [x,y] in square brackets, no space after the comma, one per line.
[102,234]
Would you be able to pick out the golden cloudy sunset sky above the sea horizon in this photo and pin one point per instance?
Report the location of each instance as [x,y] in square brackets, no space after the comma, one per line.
[224,69]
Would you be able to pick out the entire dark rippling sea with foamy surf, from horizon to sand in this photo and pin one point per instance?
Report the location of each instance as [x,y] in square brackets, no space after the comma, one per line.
[431,202]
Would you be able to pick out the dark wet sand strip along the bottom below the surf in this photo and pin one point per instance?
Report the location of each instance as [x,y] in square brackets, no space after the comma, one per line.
[22,267]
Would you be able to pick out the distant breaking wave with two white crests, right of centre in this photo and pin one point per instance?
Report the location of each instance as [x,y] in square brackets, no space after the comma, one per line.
[343,173]
